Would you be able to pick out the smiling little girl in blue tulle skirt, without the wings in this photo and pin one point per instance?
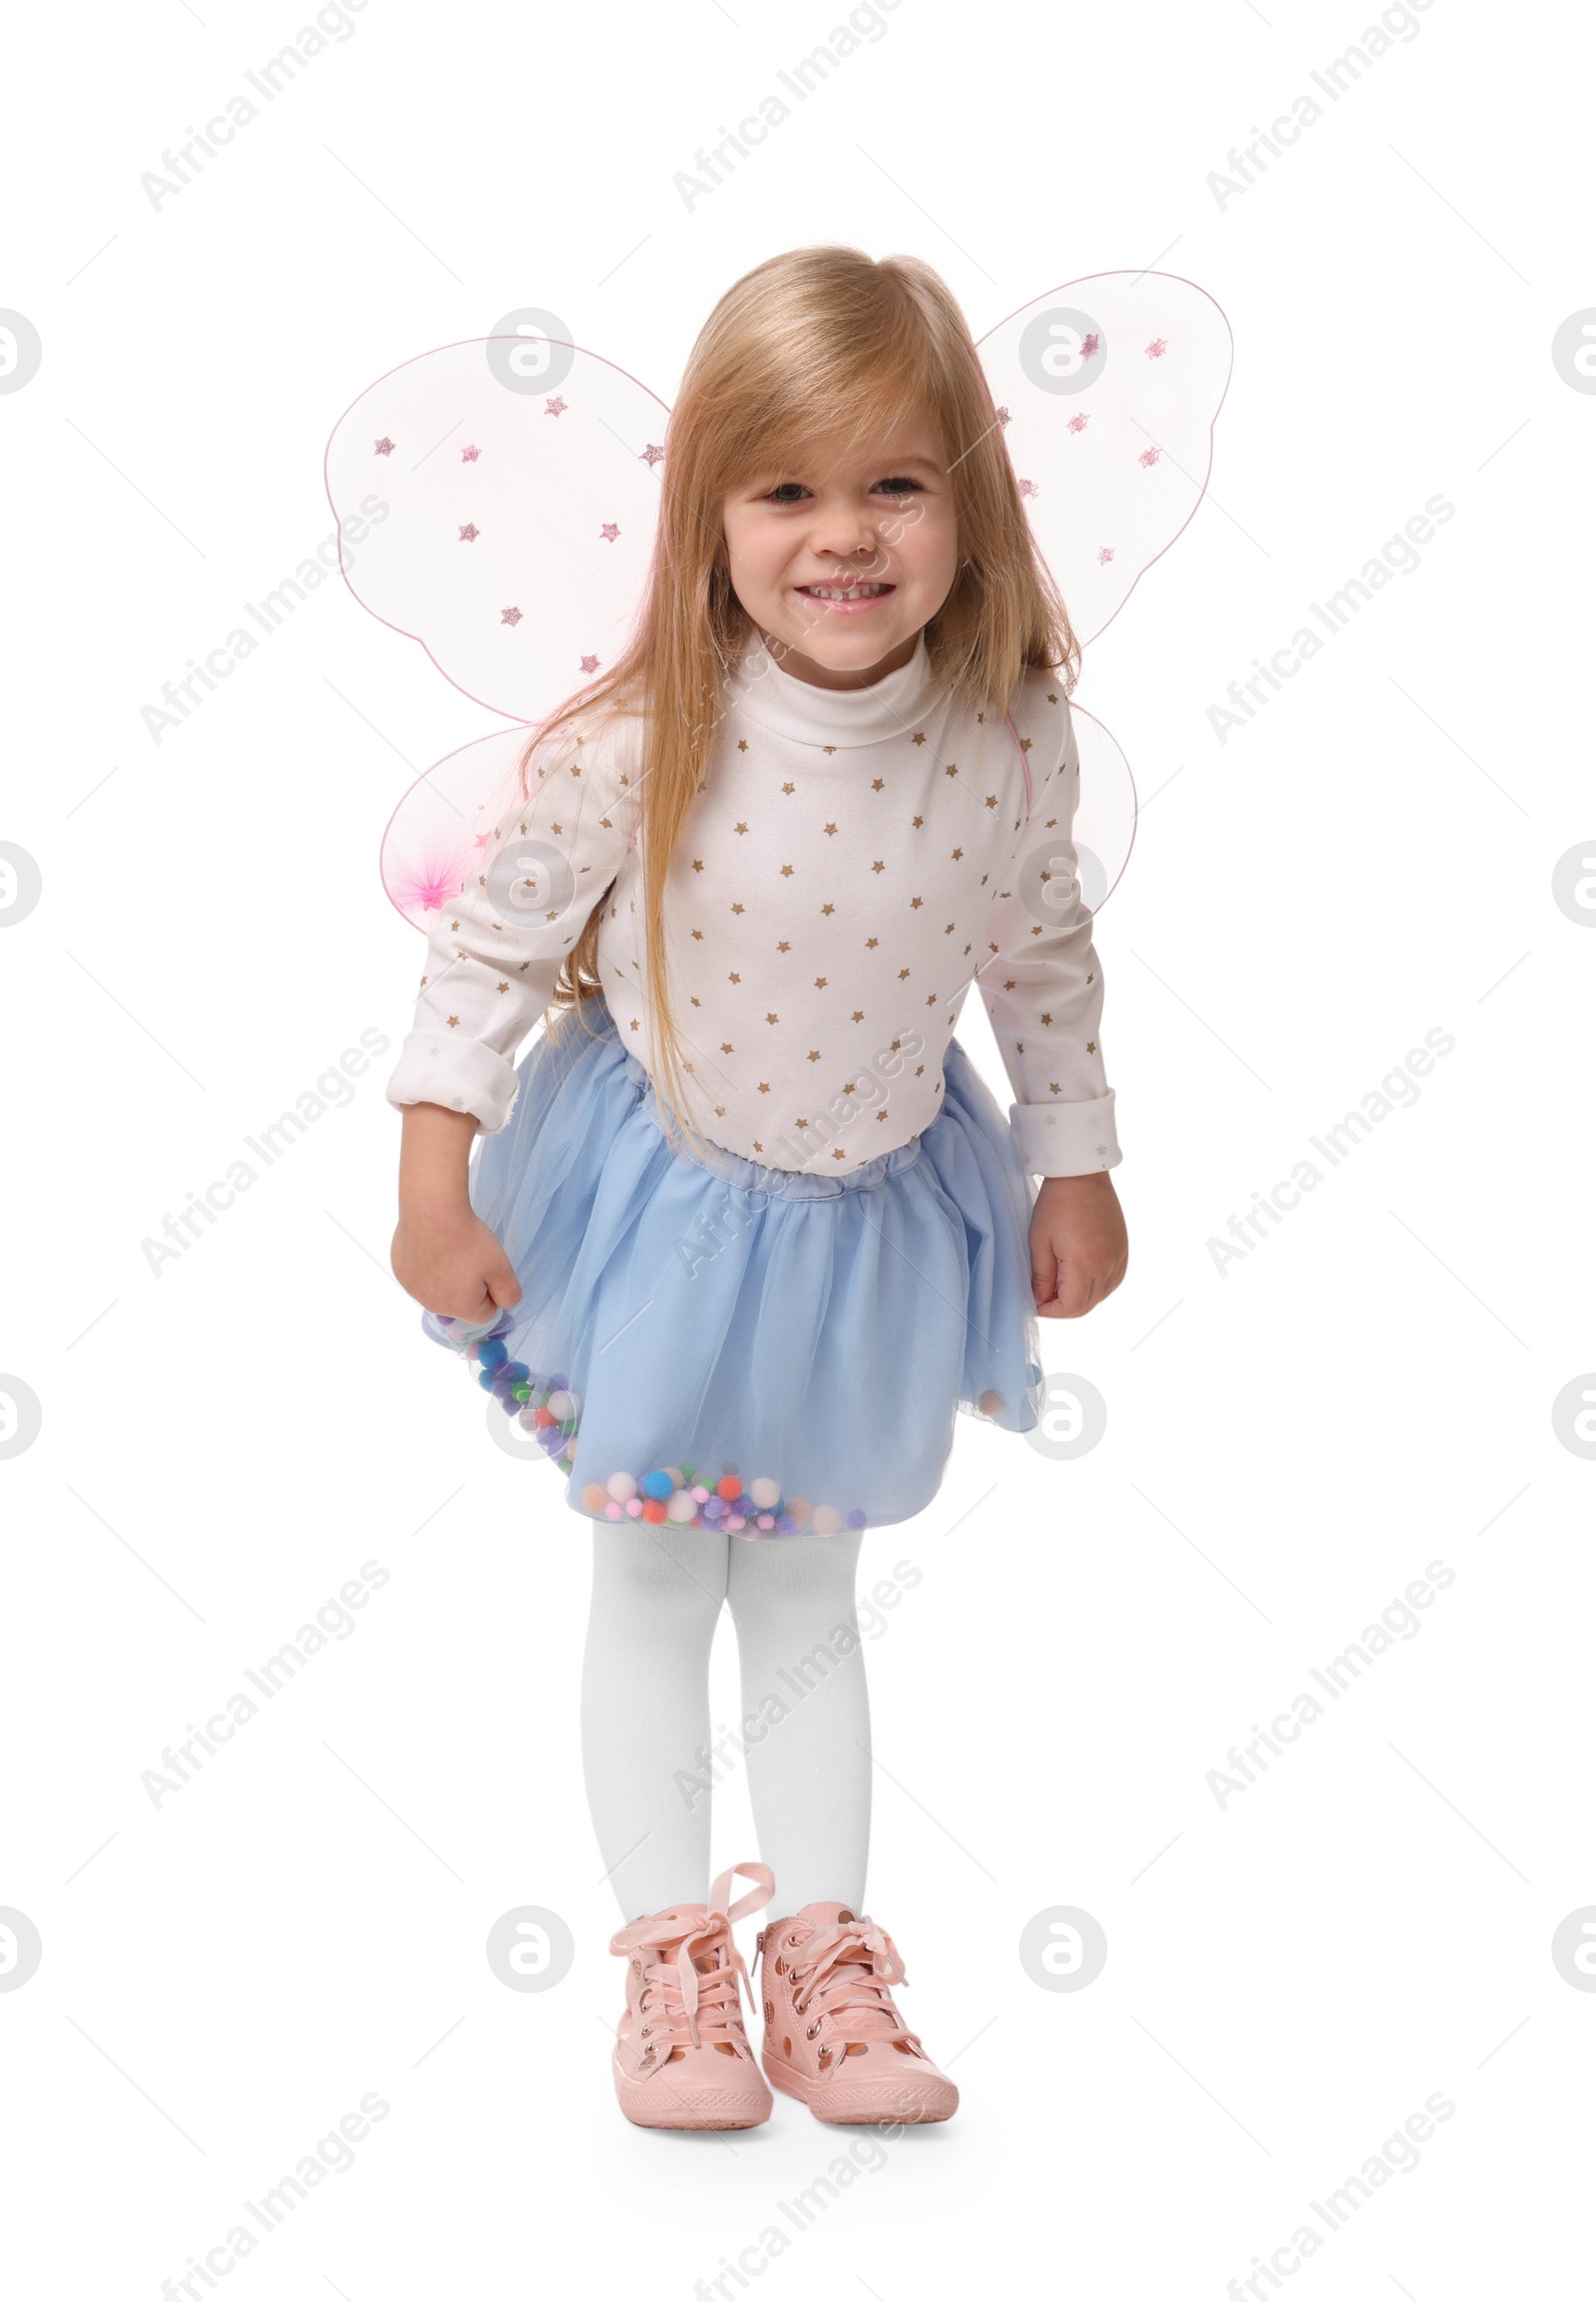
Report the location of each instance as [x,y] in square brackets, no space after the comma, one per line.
[747,1228]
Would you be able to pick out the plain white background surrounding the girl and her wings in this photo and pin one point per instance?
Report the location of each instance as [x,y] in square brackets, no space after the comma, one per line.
[1289,1445]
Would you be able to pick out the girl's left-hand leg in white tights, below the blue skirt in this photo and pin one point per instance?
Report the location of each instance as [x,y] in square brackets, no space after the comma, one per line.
[646,1707]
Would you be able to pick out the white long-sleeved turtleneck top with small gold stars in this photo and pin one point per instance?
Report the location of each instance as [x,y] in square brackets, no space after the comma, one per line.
[853,864]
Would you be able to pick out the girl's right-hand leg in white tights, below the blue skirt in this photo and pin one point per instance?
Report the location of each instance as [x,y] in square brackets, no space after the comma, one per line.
[810,1776]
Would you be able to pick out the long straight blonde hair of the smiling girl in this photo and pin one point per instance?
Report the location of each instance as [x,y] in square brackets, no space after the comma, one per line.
[819,344]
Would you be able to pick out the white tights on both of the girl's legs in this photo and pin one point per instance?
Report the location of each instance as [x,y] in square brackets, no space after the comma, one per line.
[658,1594]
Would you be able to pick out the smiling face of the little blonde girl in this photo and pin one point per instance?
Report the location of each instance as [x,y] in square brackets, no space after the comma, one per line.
[844,556]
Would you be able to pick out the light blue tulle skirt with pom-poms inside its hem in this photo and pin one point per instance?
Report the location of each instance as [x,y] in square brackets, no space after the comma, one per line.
[715,1343]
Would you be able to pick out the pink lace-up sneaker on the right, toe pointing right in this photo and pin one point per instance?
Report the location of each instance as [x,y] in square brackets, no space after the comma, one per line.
[833,2032]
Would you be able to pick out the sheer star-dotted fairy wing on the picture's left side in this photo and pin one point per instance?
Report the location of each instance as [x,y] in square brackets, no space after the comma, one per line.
[496,503]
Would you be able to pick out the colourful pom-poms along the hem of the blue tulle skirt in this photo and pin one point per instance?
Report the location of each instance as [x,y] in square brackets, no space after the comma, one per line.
[678,1495]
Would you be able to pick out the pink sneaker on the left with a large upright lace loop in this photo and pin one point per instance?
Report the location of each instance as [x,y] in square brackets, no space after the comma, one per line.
[683,2057]
